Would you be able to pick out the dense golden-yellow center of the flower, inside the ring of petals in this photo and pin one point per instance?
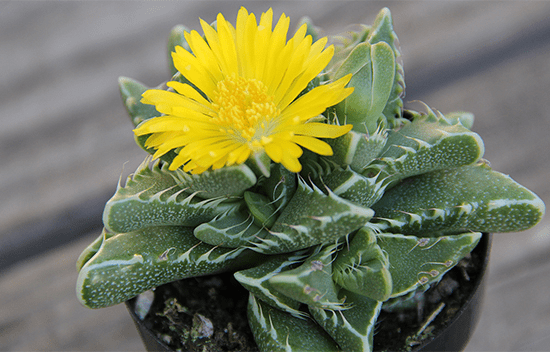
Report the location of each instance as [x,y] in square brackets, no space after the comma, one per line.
[243,107]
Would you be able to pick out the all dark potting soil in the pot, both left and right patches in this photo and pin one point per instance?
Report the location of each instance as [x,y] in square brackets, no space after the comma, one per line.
[209,313]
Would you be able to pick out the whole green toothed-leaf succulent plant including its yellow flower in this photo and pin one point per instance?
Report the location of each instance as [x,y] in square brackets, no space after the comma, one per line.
[383,203]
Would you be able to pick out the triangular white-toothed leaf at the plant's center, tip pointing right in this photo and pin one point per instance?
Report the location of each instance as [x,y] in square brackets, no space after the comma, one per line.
[311,218]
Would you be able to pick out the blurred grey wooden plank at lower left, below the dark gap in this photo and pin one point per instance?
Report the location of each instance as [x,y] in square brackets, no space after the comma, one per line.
[40,310]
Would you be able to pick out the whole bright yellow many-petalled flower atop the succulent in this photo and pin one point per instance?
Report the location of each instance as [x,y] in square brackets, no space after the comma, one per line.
[250,78]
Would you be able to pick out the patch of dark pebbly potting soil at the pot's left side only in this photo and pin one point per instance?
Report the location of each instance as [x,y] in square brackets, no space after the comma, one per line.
[202,314]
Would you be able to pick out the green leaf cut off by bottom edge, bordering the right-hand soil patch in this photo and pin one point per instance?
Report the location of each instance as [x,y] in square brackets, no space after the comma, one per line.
[352,328]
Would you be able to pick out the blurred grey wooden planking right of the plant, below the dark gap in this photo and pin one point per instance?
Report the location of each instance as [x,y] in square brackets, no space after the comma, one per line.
[512,119]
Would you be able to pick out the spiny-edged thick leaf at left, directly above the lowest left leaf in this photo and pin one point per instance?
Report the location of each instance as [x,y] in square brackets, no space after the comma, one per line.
[153,197]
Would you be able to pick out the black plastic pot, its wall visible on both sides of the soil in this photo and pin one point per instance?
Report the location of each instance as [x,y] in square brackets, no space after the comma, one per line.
[453,337]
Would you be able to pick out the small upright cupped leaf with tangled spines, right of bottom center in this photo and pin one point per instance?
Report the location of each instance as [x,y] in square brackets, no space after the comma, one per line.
[362,267]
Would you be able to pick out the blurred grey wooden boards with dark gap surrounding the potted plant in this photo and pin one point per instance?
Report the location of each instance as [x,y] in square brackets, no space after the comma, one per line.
[65,140]
